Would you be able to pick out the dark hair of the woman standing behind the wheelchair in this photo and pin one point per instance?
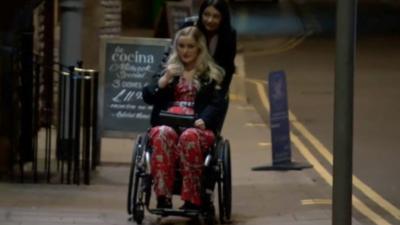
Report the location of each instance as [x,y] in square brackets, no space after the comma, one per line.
[223,8]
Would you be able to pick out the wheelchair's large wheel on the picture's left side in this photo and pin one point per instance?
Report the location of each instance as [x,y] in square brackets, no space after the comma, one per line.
[134,206]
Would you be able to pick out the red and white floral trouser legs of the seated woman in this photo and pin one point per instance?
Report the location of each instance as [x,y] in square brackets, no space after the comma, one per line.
[186,150]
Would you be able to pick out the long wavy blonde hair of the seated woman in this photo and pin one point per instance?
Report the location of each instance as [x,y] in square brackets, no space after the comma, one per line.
[206,68]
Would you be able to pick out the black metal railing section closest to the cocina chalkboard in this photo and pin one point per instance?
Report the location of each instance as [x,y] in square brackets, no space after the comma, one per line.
[78,140]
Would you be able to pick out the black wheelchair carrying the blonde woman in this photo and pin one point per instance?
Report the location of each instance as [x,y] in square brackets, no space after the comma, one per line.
[217,164]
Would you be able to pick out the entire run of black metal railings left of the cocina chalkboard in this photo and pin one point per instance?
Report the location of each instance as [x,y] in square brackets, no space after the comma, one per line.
[34,155]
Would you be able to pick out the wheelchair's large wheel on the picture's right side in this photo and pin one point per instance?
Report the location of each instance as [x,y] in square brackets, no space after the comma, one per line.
[224,182]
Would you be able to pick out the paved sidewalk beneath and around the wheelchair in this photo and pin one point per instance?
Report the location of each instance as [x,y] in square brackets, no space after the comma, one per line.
[259,197]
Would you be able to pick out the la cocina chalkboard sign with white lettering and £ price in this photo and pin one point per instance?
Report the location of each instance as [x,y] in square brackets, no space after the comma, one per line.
[127,64]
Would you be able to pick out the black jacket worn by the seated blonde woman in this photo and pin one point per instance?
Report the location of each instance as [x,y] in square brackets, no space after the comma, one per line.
[208,103]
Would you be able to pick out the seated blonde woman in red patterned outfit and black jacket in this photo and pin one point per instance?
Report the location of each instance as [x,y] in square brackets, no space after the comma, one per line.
[189,85]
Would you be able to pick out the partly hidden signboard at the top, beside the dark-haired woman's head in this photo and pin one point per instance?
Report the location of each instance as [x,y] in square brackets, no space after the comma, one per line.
[176,14]
